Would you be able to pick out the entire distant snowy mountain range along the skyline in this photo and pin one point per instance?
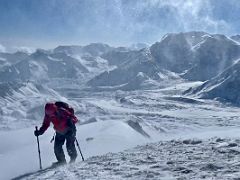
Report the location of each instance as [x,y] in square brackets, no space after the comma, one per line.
[193,55]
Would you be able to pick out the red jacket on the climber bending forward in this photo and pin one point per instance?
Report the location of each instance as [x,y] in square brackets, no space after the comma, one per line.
[61,120]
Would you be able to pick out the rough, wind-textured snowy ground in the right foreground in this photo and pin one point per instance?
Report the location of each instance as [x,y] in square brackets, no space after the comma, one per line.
[214,158]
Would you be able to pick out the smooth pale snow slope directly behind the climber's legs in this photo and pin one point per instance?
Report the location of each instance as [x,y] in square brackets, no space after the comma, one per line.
[18,151]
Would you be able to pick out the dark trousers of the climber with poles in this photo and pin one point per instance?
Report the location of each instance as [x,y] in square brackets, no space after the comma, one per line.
[70,137]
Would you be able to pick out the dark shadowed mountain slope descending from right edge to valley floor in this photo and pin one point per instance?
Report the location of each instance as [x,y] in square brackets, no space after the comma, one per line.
[225,86]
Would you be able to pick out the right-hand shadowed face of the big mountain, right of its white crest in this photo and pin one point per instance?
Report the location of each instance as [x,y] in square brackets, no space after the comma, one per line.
[212,56]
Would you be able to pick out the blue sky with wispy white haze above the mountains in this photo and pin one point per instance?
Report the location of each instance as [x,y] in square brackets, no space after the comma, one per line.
[47,23]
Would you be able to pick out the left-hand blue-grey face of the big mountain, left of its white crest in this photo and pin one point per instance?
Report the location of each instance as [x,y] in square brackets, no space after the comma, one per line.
[174,51]
